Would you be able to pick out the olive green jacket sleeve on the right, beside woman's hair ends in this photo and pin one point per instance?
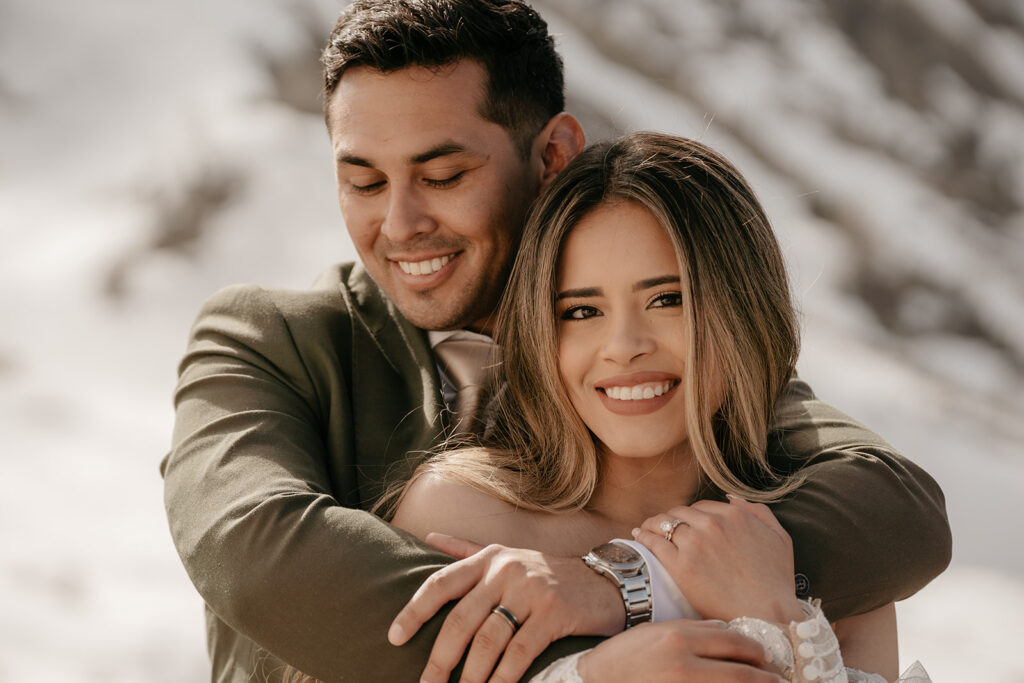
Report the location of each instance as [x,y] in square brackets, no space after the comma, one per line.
[869,527]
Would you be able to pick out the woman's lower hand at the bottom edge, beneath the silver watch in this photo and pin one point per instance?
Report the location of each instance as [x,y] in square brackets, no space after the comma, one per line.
[681,651]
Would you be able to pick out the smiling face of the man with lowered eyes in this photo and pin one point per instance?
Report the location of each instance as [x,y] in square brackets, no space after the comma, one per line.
[434,195]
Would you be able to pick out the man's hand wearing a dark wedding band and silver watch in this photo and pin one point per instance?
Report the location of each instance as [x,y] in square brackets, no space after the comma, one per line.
[551,597]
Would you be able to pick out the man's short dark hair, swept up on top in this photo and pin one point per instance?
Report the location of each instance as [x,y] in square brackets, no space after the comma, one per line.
[507,37]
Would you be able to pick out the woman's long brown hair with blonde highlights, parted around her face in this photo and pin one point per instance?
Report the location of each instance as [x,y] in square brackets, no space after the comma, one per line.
[737,303]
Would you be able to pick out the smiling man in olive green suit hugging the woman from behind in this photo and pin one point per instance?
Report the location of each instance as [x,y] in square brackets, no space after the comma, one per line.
[296,411]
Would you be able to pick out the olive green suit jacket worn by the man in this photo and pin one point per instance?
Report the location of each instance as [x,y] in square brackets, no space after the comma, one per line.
[296,410]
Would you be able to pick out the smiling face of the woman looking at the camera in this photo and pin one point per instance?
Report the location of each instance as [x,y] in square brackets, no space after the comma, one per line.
[622,334]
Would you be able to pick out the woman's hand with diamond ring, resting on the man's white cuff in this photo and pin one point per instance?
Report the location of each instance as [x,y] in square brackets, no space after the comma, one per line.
[731,560]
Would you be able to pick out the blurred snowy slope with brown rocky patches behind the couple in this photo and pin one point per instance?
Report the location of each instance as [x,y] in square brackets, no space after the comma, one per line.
[153,153]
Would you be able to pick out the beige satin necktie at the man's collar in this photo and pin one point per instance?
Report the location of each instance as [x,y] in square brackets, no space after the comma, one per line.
[471,364]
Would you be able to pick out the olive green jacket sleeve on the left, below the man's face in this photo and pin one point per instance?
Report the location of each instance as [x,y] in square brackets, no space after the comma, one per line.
[252,514]
